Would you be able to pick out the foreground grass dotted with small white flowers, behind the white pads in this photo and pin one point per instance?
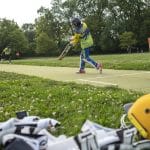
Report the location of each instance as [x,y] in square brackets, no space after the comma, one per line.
[71,104]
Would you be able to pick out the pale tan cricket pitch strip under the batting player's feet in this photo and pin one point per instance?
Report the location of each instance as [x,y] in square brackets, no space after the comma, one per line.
[127,79]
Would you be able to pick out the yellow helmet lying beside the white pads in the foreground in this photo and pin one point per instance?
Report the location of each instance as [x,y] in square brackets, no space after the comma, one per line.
[139,115]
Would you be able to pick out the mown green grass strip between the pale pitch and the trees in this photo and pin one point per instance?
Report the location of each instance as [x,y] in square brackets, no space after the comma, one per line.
[139,61]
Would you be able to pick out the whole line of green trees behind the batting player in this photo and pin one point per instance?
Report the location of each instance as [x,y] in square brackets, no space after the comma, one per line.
[111,23]
